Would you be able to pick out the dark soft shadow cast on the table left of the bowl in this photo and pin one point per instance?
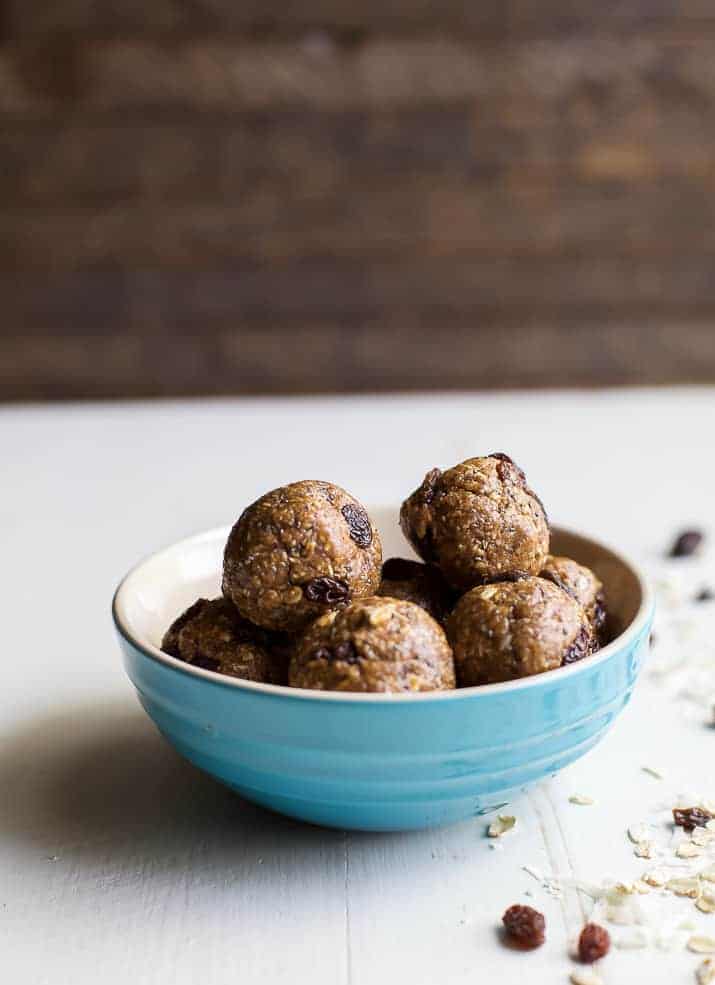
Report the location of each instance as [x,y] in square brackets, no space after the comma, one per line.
[100,786]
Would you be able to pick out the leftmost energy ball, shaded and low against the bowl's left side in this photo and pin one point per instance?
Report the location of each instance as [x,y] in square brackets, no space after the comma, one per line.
[213,635]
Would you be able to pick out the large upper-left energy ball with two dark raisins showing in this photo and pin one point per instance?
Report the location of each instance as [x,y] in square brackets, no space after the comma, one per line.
[298,552]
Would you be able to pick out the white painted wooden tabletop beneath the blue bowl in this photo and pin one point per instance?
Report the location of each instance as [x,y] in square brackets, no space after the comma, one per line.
[120,863]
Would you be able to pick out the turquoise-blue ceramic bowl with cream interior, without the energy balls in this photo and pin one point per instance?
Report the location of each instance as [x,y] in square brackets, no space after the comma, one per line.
[375,762]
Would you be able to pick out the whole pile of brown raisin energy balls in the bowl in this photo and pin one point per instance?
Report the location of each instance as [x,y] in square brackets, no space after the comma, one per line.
[308,602]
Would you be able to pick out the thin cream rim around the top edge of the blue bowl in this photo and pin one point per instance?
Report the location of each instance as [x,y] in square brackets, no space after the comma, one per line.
[637,625]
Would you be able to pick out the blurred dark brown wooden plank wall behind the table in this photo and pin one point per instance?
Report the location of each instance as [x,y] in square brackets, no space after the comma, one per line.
[216,196]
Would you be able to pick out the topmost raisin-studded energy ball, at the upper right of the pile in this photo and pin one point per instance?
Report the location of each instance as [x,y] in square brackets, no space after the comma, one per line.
[477,522]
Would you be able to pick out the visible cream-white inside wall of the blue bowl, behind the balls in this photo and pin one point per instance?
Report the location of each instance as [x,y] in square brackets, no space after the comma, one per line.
[161,587]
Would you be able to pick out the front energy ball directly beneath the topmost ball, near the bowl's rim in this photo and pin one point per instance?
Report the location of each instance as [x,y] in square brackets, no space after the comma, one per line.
[516,628]
